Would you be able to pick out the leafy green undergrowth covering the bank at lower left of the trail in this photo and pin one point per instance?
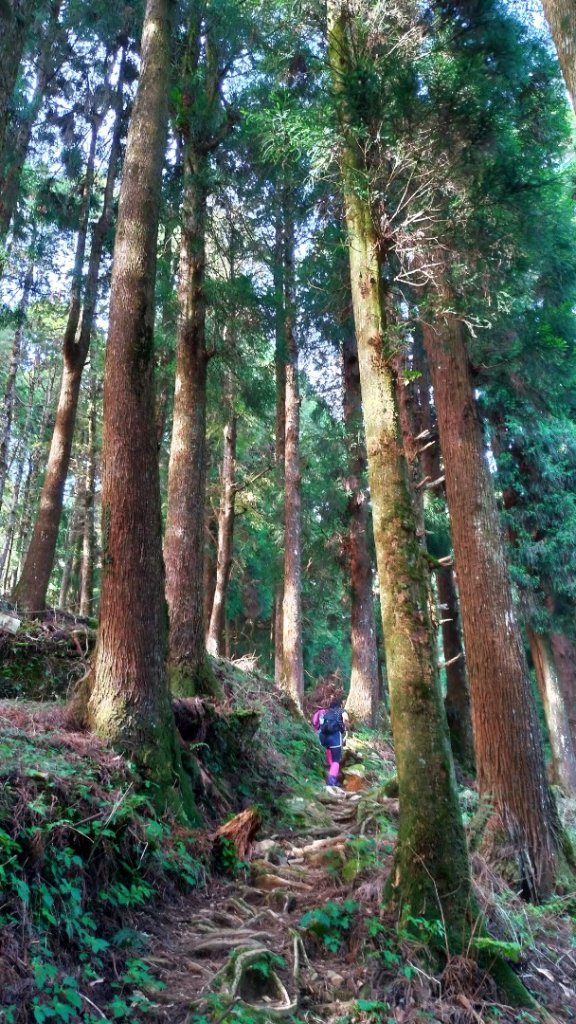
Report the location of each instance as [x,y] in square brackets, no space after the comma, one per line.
[81,849]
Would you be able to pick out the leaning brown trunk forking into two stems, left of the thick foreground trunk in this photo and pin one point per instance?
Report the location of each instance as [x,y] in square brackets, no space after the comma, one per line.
[33,584]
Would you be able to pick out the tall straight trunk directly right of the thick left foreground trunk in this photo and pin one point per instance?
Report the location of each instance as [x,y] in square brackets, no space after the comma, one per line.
[202,129]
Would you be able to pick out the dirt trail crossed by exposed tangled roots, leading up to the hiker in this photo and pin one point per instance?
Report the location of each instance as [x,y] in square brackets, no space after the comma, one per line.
[290,875]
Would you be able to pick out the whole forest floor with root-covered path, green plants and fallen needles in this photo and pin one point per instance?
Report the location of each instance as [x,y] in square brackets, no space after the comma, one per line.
[108,913]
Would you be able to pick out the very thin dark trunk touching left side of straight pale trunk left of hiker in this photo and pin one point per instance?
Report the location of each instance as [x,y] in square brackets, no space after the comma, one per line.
[280,445]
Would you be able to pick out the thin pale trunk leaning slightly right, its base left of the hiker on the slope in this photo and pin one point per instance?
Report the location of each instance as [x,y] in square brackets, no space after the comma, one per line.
[226,528]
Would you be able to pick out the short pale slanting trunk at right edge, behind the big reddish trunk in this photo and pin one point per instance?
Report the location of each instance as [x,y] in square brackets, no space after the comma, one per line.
[564,755]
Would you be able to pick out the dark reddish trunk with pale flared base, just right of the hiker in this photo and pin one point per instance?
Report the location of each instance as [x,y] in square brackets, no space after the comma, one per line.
[363,699]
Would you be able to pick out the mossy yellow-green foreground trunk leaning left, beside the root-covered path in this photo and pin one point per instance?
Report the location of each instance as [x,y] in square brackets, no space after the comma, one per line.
[432,872]
